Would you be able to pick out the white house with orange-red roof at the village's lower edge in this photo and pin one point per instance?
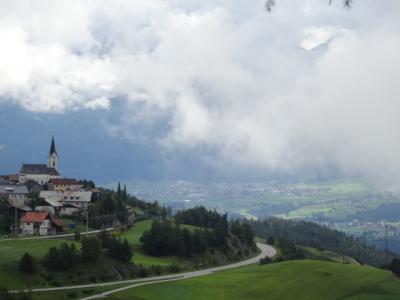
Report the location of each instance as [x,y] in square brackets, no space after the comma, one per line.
[36,222]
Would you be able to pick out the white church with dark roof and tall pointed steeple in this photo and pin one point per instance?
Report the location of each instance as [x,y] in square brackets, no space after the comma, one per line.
[41,173]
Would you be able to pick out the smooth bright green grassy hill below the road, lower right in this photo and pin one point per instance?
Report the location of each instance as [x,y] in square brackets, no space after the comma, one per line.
[299,280]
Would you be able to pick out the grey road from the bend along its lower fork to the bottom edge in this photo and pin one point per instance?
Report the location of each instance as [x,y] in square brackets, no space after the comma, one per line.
[265,251]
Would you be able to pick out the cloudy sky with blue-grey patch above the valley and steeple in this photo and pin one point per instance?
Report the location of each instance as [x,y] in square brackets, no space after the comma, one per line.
[202,90]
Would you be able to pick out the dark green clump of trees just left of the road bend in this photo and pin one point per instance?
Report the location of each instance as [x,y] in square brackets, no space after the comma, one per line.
[170,237]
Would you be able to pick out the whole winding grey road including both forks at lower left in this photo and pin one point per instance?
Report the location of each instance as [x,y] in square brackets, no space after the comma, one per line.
[266,250]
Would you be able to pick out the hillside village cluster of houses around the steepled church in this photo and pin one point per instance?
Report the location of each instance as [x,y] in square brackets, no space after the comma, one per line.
[37,197]
